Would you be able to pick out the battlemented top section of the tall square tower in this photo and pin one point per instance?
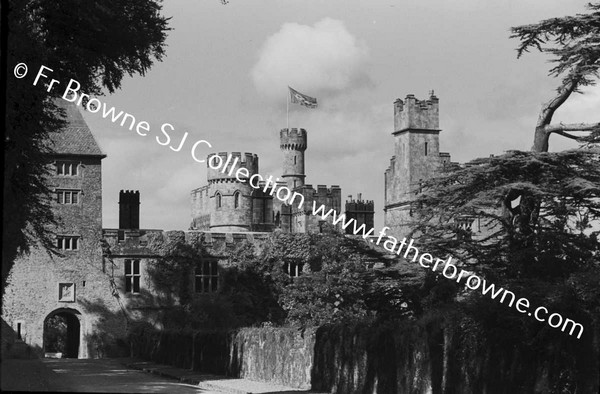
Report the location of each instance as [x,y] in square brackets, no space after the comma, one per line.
[416,114]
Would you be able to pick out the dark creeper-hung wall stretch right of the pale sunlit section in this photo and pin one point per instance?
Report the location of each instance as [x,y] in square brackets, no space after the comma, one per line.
[451,353]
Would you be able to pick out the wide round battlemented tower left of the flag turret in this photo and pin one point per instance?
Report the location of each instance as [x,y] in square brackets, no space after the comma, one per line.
[230,199]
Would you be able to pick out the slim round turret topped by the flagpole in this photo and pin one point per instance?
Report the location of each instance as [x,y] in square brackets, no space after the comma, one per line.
[293,145]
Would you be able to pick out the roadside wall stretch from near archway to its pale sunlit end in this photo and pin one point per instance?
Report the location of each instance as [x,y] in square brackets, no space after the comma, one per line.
[278,355]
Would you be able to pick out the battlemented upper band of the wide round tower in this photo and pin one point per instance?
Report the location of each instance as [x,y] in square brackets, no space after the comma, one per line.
[229,163]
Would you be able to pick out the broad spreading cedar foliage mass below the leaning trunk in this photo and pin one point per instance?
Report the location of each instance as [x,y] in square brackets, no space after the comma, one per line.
[553,234]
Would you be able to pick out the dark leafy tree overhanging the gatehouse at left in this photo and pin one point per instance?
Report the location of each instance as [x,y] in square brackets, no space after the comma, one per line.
[96,43]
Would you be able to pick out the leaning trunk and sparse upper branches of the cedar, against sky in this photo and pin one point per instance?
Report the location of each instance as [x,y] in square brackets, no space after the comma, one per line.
[574,43]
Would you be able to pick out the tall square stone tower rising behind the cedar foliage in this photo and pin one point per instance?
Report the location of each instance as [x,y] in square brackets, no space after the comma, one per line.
[416,158]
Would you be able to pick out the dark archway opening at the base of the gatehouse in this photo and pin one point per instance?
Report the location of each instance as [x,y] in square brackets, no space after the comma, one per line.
[62,334]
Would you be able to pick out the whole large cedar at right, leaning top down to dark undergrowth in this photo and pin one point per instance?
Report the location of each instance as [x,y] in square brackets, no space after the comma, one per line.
[539,216]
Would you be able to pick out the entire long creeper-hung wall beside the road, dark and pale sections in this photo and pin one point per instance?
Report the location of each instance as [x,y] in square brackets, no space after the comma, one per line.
[438,353]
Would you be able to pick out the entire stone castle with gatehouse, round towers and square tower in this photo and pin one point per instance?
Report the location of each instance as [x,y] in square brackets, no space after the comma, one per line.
[101,281]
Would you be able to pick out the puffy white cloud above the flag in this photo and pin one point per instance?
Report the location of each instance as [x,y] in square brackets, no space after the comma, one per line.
[318,60]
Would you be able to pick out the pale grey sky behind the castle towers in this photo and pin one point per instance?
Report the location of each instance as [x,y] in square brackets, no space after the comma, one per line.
[227,67]
